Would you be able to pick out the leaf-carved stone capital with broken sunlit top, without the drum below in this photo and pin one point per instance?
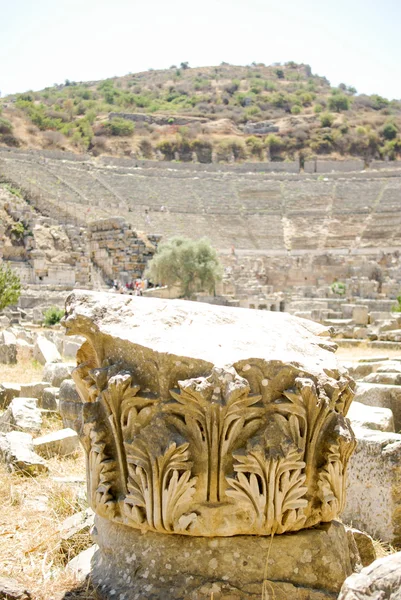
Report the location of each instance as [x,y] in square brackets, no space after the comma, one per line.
[258,446]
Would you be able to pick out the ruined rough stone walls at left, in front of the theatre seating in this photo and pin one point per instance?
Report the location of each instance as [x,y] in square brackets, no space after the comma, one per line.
[64,255]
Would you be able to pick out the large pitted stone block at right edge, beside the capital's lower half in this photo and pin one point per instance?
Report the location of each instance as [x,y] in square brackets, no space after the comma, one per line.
[374,483]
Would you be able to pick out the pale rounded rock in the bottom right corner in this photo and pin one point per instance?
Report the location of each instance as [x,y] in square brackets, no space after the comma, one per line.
[381,580]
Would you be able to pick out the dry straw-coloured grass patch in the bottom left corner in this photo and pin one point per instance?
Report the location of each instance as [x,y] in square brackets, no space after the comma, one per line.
[33,509]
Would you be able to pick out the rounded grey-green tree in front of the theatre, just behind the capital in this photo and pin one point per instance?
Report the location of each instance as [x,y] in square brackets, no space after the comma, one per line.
[192,264]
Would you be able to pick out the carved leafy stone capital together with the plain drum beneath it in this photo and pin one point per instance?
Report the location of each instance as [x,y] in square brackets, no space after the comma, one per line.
[209,433]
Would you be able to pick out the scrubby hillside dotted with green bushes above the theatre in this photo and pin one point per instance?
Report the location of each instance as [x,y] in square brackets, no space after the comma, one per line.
[210,114]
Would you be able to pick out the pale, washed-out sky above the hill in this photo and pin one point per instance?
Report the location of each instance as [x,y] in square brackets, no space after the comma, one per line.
[43,42]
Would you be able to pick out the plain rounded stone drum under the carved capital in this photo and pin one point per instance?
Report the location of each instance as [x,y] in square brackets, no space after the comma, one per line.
[308,564]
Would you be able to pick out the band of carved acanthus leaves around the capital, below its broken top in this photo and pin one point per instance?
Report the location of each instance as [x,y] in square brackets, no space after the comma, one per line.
[213,458]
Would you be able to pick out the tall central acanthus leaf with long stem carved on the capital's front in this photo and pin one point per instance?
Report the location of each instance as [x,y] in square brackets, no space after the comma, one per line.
[217,415]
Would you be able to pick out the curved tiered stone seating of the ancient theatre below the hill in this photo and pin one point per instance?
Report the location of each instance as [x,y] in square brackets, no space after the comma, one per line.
[274,227]
